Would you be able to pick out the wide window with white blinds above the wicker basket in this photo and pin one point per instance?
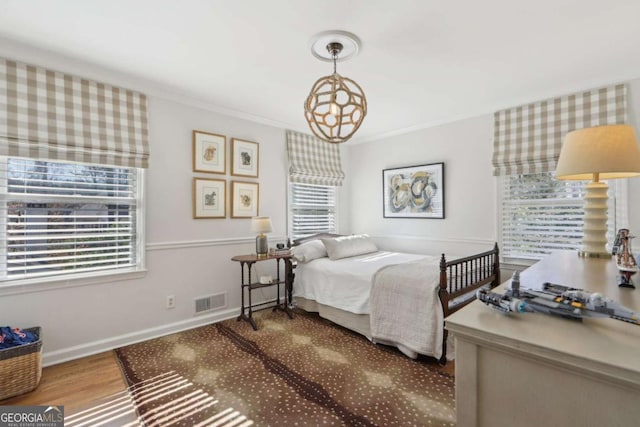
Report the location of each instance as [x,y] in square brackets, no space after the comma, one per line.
[68,218]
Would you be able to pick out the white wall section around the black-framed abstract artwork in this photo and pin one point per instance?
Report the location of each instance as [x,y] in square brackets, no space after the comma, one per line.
[465,147]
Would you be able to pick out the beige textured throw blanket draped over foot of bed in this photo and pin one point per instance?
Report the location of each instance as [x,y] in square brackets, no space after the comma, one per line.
[405,307]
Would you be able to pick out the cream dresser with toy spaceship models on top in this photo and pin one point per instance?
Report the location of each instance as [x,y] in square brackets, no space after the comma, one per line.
[533,369]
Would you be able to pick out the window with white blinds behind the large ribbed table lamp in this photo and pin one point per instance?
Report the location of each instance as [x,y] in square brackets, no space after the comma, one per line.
[541,214]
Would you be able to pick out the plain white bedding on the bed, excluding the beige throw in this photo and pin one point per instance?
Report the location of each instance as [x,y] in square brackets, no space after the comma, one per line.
[345,283]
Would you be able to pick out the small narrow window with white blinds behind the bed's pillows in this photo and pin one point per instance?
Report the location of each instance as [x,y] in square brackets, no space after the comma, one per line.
[312,209]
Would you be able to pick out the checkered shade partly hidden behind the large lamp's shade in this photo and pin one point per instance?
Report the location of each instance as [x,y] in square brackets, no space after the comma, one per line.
[528,139]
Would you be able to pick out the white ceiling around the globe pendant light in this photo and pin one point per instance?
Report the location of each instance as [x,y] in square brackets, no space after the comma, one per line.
[422,62]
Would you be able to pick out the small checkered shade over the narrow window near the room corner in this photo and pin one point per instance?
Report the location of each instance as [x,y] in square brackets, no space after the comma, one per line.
[313,161]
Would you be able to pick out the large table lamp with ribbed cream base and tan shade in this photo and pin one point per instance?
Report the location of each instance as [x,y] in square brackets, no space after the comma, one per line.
[601,152]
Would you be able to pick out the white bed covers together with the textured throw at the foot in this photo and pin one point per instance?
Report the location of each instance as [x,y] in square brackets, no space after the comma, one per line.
[399,291]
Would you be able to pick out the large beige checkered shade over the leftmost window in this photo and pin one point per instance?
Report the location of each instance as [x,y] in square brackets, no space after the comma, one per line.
[51,115]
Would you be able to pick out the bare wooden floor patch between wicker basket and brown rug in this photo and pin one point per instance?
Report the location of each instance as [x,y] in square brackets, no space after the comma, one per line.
[78,385]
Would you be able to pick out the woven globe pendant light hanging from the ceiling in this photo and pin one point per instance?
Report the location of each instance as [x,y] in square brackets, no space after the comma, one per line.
[336,105]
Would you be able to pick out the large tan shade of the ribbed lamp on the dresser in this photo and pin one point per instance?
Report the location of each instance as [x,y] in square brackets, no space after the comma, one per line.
[610,151]
